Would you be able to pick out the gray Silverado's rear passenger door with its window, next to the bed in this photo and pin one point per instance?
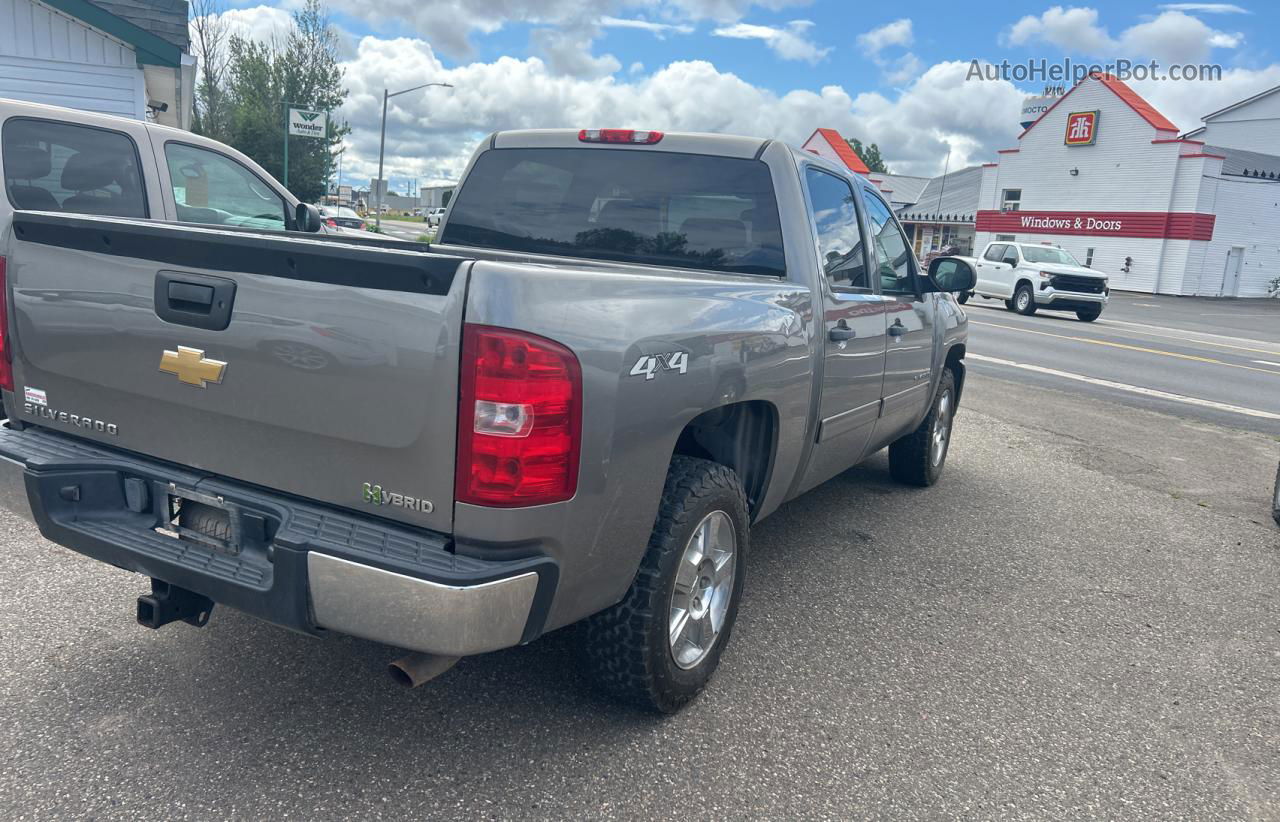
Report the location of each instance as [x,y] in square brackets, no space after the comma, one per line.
[853,330]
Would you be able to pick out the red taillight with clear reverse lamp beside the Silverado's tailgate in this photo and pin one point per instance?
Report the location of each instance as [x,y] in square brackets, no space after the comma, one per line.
[520,419]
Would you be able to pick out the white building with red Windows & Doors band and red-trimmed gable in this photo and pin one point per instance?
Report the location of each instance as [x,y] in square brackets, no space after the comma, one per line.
[1104,175]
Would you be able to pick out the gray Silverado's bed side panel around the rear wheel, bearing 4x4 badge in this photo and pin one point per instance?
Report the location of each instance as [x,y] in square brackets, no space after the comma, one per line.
[746,340]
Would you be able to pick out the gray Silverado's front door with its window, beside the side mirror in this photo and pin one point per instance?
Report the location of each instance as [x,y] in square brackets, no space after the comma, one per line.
[909,314]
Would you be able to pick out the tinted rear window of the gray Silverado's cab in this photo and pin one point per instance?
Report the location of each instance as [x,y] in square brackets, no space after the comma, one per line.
[655,208]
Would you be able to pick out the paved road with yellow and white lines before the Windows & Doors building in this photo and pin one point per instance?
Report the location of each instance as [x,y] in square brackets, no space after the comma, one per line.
[1213,360]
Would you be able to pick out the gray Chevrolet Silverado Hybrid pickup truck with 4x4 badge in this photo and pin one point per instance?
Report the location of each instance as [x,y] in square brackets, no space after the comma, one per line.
[627,349]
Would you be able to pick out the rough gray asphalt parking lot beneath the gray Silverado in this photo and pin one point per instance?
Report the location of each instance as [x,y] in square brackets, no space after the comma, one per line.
[1080,622]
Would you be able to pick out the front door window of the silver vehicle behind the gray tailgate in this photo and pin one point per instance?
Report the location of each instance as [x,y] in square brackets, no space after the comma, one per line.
[216,190]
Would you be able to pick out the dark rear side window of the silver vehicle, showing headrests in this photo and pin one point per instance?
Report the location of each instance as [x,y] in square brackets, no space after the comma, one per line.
[79,170]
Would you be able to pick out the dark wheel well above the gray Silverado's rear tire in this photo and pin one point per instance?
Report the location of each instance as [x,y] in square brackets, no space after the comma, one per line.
[742,436]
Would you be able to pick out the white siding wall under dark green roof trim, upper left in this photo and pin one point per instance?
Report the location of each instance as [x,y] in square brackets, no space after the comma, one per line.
[47,57]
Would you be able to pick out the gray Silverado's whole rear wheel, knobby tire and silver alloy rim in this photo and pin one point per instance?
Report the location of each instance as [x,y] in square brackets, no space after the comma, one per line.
[659,647]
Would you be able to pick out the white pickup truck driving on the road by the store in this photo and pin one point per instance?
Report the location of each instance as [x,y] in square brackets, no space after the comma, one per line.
[1030,277]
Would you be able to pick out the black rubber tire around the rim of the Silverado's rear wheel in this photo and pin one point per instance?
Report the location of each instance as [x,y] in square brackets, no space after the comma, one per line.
[629,646]
